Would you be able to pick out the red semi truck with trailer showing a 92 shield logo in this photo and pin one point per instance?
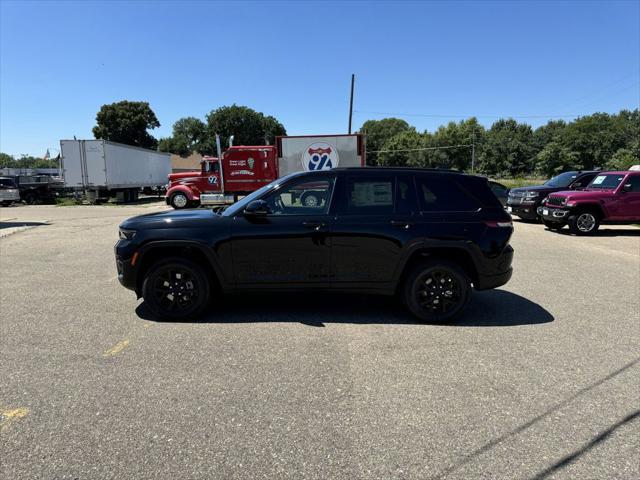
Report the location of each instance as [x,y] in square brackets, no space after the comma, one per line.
[247,168]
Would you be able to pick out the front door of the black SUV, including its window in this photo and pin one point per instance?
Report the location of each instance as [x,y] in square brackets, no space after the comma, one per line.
[290,245]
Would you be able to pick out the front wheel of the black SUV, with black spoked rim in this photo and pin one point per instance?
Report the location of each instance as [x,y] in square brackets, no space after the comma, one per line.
[167,280]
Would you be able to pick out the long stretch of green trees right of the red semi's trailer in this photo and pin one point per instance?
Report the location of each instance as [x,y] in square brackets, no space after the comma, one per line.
[509,148]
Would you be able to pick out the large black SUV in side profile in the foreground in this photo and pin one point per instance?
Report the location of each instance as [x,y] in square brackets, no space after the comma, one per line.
[428,236]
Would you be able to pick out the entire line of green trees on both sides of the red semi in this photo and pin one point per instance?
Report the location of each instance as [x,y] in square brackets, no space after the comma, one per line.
[507,148]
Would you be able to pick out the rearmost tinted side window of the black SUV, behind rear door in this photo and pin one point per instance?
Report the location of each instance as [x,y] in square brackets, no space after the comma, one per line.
[441,193]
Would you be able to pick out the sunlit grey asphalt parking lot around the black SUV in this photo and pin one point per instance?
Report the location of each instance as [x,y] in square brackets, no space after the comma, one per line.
[539,379]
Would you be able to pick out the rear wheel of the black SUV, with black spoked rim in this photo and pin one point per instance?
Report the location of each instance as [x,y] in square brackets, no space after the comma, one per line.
[441,280]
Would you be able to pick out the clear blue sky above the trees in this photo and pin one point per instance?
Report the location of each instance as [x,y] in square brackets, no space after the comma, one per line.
[439,61]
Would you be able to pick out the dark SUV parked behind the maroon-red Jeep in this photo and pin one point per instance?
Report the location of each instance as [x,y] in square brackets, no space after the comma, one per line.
[523,202]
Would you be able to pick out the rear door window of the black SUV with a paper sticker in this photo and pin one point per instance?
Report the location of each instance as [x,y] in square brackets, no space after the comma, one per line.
[373,196]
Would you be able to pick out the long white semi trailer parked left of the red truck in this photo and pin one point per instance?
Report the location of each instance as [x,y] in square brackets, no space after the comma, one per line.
[104,169]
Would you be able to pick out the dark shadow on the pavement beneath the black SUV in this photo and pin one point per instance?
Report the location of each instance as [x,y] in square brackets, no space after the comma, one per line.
[495,308]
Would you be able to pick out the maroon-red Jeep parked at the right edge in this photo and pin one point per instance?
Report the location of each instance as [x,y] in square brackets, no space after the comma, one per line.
[611,197]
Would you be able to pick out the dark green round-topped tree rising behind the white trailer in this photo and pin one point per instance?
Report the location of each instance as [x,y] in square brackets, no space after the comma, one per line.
[127,122]
